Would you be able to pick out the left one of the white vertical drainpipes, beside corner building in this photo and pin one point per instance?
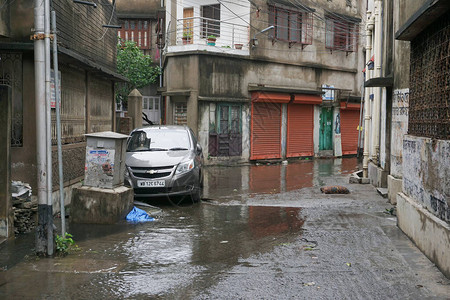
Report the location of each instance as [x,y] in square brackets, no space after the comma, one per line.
[367,106]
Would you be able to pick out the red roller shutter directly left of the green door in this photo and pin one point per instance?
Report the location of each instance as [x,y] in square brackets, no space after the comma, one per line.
[300,138]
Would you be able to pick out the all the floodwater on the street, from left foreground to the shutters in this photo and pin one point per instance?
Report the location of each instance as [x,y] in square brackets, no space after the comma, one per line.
[185,251]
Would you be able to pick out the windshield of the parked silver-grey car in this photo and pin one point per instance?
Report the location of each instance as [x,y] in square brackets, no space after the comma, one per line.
[158,140]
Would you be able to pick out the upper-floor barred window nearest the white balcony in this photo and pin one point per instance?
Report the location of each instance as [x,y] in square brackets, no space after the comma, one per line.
[293,26]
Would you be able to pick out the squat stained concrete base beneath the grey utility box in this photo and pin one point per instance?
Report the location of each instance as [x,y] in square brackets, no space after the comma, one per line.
[92,205]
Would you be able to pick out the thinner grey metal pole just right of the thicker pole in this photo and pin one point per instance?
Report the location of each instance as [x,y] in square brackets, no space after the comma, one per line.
[58,126]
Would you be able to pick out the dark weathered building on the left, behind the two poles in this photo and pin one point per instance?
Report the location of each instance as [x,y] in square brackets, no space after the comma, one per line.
[87,63]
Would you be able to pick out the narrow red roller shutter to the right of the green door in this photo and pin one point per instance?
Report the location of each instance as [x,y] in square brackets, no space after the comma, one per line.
[349,130]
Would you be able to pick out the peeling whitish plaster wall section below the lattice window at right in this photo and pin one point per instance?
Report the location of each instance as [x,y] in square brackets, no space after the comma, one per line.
[426,173]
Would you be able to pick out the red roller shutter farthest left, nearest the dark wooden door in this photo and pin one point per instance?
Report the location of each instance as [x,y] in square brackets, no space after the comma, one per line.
[266,131]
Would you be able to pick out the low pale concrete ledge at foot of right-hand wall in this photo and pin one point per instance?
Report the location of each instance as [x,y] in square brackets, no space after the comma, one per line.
[429,233]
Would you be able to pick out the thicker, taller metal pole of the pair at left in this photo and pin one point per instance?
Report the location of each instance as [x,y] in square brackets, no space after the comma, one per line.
[48,126]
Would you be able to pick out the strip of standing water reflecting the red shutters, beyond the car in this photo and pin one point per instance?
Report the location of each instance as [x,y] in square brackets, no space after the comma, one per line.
[243,182]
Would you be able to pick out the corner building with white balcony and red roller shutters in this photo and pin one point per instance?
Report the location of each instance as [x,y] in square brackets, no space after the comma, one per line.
[265,79]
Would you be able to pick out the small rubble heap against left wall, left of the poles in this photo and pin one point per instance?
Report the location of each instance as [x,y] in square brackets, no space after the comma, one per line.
[25,210]
